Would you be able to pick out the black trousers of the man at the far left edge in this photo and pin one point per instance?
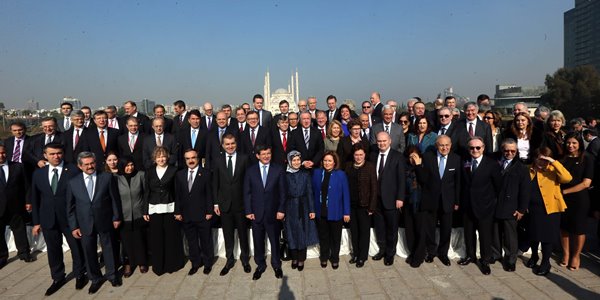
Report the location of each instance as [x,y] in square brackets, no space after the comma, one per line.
[16,223]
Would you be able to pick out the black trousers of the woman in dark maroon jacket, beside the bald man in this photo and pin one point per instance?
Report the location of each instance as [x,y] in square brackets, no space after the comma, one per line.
[360,231]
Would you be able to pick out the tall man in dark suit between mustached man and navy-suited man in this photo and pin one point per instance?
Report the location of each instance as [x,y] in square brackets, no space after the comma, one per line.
[228,178]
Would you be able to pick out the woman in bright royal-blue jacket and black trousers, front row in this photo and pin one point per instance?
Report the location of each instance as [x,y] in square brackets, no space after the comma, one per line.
[332,207]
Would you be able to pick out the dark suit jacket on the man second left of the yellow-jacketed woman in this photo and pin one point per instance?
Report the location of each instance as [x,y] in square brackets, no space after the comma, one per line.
[480,188]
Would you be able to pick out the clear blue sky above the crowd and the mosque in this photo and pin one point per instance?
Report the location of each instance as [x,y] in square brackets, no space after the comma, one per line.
[110,51]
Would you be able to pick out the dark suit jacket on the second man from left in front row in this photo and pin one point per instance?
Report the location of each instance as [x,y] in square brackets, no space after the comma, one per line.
[48,208]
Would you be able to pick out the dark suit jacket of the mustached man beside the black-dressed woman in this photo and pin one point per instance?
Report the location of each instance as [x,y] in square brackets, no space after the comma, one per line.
[196,203]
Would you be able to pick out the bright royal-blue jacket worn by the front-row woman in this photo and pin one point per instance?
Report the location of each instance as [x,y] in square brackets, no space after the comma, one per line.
[338,194]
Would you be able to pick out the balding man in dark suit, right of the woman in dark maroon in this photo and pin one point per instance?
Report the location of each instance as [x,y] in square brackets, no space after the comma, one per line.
[391,178]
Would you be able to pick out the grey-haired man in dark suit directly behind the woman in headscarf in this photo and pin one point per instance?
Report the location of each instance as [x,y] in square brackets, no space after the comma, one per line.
[312,152]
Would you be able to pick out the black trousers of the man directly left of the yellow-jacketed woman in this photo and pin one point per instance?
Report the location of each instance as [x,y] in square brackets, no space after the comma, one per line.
[505,238]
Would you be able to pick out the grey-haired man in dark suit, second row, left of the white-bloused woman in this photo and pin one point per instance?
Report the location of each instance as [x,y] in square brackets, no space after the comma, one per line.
[469,127]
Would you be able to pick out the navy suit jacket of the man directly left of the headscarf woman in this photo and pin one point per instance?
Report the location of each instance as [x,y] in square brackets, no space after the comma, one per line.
[264,202]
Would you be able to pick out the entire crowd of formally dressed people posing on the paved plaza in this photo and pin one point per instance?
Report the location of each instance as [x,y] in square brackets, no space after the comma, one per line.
[142,185]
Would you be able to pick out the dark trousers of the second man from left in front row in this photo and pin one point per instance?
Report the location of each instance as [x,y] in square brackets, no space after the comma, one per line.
[54,238]
